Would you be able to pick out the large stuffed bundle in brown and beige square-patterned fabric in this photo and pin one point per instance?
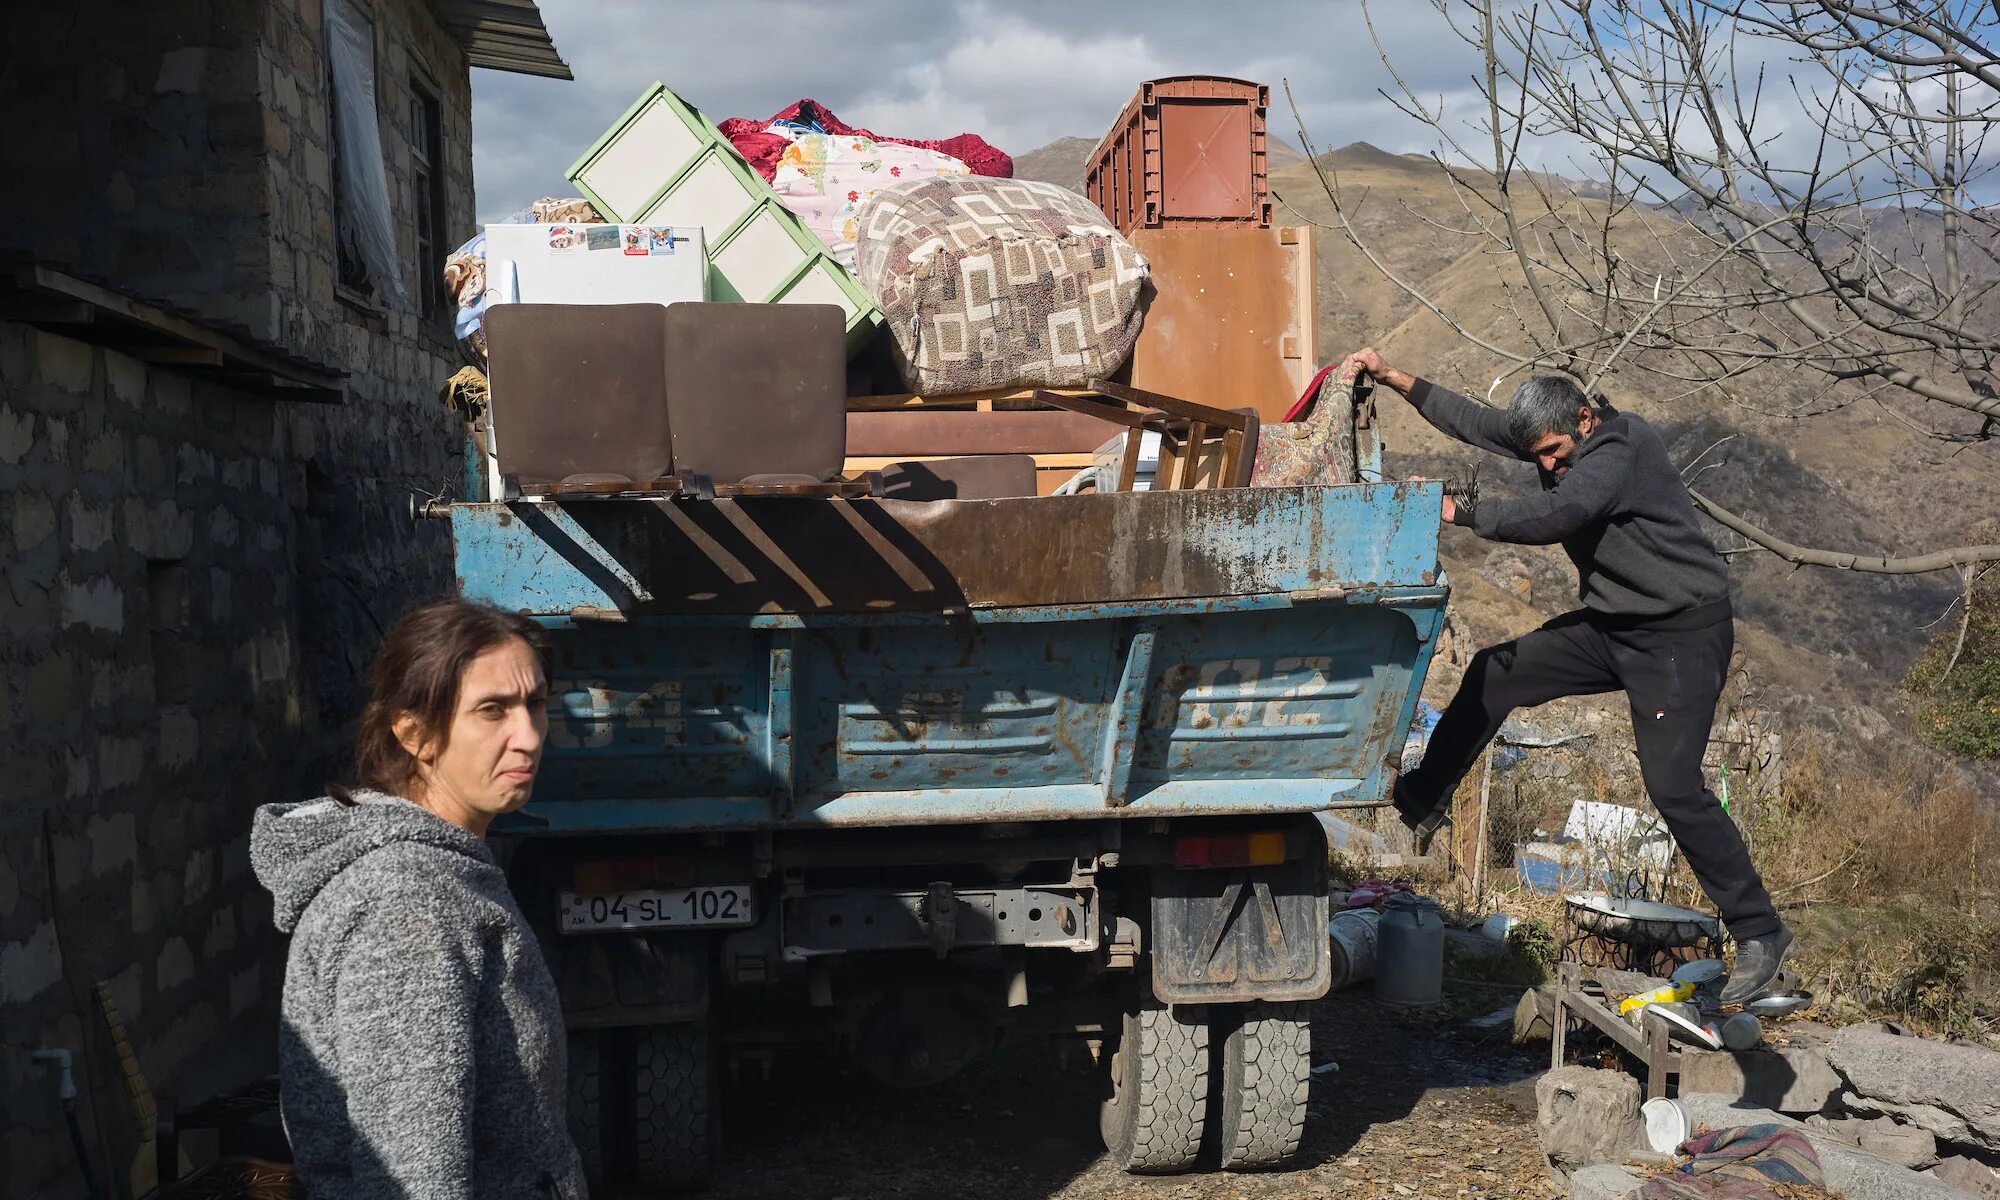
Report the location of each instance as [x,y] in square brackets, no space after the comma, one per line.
[999,283]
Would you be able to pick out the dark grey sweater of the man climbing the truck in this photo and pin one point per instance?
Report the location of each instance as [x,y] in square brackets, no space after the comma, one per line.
[1621,513]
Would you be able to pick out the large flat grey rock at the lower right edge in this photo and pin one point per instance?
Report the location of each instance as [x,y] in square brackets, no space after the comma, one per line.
[1951,1091]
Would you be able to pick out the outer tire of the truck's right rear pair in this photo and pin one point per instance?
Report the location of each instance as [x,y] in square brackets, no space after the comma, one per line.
[1267,1073]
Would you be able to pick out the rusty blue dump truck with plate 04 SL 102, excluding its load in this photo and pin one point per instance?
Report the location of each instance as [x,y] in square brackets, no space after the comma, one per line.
[917,777]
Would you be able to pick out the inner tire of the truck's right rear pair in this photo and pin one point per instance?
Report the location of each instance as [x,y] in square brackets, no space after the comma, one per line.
[1153,1119]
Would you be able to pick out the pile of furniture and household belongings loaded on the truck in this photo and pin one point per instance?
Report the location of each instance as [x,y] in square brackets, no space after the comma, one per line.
[1007,301]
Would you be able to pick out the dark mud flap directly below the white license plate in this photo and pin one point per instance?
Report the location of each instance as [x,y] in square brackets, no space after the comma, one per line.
[633,979]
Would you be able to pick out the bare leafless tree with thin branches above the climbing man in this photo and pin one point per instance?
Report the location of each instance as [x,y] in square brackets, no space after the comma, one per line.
[1785,185]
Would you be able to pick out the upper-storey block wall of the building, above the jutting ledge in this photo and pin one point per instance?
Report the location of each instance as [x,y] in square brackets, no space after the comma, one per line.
[181,151]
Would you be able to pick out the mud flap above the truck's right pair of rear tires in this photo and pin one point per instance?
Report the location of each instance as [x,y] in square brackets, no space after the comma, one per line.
[1241,935]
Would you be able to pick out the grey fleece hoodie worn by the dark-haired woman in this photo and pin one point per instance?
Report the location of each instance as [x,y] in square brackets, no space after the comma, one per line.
[423,1051]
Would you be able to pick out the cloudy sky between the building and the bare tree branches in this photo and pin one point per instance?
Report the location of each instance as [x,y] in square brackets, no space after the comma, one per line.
[1017,73]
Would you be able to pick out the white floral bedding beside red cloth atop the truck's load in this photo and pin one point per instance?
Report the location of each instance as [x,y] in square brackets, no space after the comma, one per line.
[825,179]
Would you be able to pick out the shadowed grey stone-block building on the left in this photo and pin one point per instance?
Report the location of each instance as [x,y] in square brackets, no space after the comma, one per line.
[221,347]
